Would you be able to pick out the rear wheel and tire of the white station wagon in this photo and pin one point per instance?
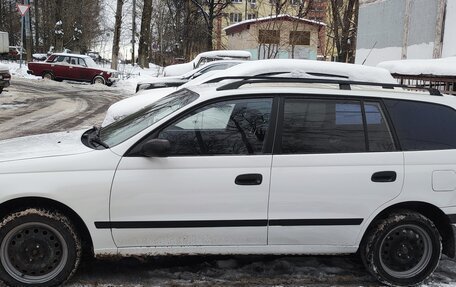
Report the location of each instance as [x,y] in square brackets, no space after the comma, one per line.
[403,249]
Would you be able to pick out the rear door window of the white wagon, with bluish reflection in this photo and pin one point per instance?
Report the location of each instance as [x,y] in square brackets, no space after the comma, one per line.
[313,126]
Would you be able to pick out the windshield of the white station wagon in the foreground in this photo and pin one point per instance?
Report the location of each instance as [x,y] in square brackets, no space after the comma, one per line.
[131,125]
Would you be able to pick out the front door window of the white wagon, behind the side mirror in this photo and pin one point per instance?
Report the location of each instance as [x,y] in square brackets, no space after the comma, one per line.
[232,127]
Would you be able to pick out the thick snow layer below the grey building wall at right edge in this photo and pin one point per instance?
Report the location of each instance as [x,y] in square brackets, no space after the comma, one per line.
[436,67]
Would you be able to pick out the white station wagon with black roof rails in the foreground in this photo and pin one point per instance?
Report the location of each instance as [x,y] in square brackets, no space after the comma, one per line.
[253,166]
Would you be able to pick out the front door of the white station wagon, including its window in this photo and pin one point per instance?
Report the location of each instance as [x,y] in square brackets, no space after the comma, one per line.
[212,188]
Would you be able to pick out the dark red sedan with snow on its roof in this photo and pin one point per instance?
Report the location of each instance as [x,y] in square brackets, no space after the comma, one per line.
[64,66]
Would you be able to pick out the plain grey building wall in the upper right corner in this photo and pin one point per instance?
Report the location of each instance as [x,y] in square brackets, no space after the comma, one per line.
[405,29]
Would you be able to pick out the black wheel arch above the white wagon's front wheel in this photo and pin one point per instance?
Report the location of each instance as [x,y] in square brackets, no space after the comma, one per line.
[17,204]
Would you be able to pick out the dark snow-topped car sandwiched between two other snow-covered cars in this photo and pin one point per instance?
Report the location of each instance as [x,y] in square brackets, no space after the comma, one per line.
[176,81]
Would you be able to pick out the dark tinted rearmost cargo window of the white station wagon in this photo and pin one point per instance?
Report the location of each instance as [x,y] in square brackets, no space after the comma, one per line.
[423,126]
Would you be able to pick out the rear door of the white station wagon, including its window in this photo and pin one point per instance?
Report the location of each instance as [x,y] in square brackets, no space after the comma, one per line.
[335,162]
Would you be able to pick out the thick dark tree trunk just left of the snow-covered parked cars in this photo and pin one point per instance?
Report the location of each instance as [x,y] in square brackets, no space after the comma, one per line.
[145,37]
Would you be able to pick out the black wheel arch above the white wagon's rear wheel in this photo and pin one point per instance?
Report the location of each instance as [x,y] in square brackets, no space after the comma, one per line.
[435,214]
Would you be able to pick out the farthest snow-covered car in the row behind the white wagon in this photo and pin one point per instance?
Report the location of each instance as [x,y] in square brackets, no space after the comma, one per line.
[203,58]
